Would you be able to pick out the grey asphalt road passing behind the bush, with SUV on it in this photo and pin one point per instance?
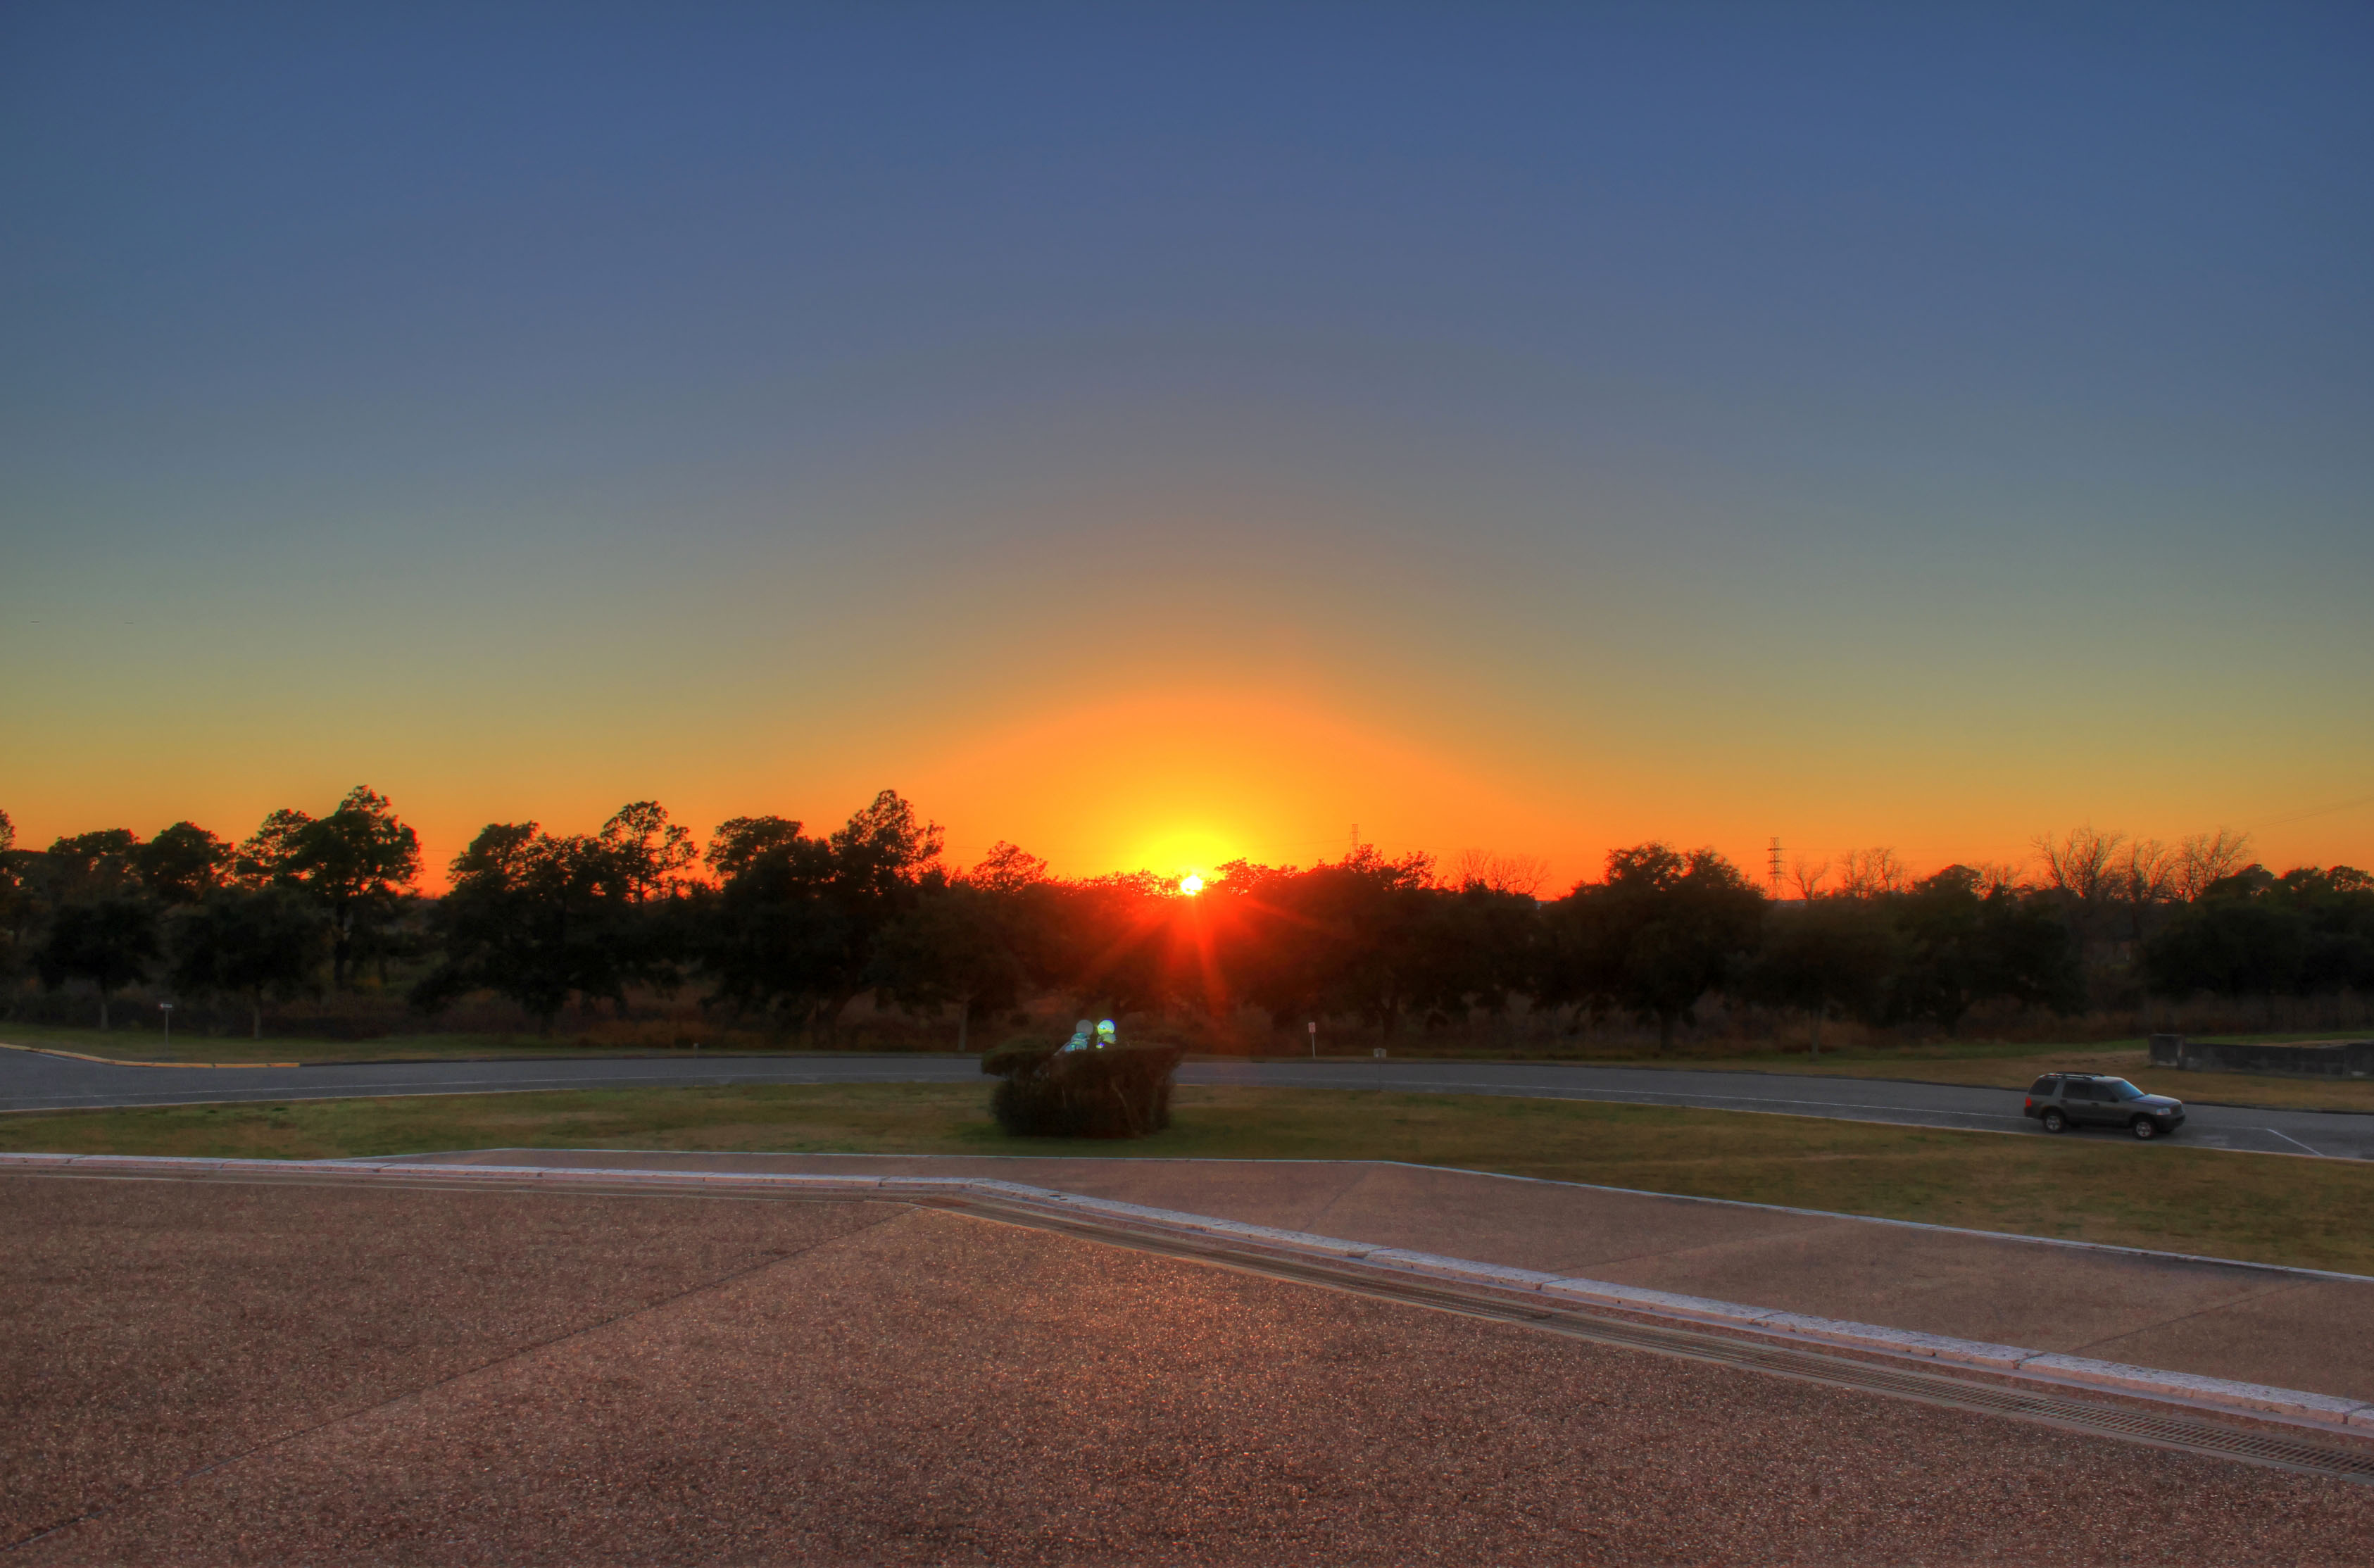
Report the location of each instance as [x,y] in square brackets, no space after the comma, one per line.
[46,1082]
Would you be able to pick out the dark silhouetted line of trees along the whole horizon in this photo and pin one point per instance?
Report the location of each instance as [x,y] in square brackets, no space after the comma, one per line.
[785,928]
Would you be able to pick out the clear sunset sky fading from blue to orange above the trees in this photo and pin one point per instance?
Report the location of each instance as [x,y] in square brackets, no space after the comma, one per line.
[1157,436]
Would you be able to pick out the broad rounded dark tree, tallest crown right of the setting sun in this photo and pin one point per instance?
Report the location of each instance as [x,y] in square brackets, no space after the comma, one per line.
[1656,935]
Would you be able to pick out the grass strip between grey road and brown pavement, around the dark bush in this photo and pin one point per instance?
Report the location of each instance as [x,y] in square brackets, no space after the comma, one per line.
[2266,1208]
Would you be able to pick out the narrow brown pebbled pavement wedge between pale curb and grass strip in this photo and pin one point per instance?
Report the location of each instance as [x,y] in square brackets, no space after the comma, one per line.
[2219,1320]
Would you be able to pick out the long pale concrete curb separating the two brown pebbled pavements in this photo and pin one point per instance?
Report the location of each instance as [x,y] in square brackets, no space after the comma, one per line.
[1554,1289]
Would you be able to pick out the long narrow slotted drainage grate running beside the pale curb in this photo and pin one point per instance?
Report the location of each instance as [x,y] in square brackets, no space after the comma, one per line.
[2069,1412]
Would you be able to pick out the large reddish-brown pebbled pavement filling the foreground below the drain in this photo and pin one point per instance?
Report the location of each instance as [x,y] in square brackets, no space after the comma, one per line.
[875,1384]
